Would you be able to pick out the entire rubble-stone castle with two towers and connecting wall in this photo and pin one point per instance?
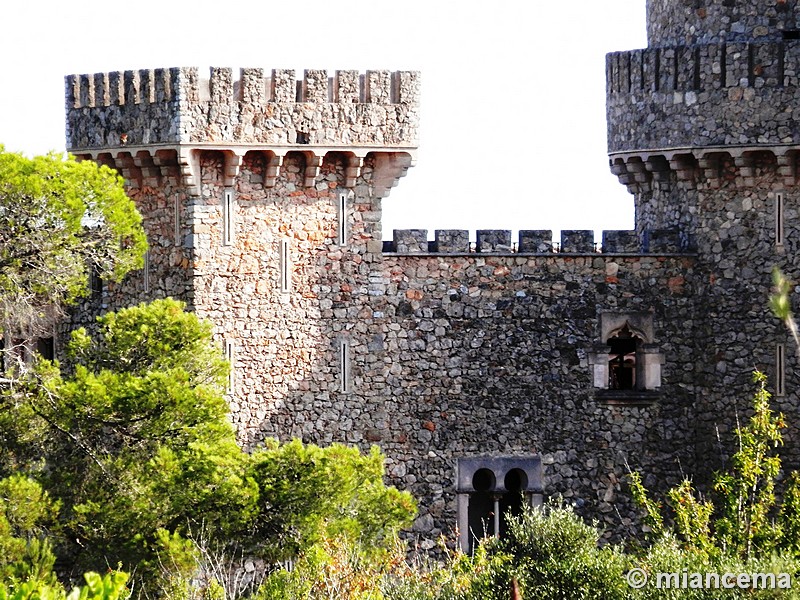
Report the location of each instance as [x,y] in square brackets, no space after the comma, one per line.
[487,371]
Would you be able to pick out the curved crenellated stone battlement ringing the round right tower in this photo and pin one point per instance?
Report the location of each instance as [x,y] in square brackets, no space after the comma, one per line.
[703,96]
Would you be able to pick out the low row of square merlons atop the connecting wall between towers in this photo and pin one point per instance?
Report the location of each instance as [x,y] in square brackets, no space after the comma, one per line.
[537,241]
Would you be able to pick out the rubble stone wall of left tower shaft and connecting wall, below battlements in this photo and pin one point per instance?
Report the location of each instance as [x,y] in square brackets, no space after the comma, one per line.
[451,355]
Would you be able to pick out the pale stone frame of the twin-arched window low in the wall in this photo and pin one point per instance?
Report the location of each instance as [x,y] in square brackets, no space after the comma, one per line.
[500,466]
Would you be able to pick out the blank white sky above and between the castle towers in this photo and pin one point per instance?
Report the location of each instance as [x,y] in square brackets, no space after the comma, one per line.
[513,131]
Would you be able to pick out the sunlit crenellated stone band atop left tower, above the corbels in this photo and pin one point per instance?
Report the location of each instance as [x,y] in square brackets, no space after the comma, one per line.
[177,106]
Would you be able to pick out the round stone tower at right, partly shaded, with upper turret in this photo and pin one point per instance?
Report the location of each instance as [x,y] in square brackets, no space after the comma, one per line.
[704,130]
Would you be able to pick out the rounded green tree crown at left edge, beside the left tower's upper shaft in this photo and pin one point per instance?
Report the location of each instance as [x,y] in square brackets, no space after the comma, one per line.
[57,218]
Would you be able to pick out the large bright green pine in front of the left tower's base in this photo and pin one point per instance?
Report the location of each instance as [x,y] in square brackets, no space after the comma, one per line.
[138,437]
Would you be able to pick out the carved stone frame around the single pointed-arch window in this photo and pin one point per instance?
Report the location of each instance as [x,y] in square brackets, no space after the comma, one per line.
[649,359]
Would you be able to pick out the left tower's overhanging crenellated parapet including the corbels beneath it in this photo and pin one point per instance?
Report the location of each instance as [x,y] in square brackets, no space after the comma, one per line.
[150,122]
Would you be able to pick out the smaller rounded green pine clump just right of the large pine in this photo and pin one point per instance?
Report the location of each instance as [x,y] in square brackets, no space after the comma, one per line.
[308,493]
